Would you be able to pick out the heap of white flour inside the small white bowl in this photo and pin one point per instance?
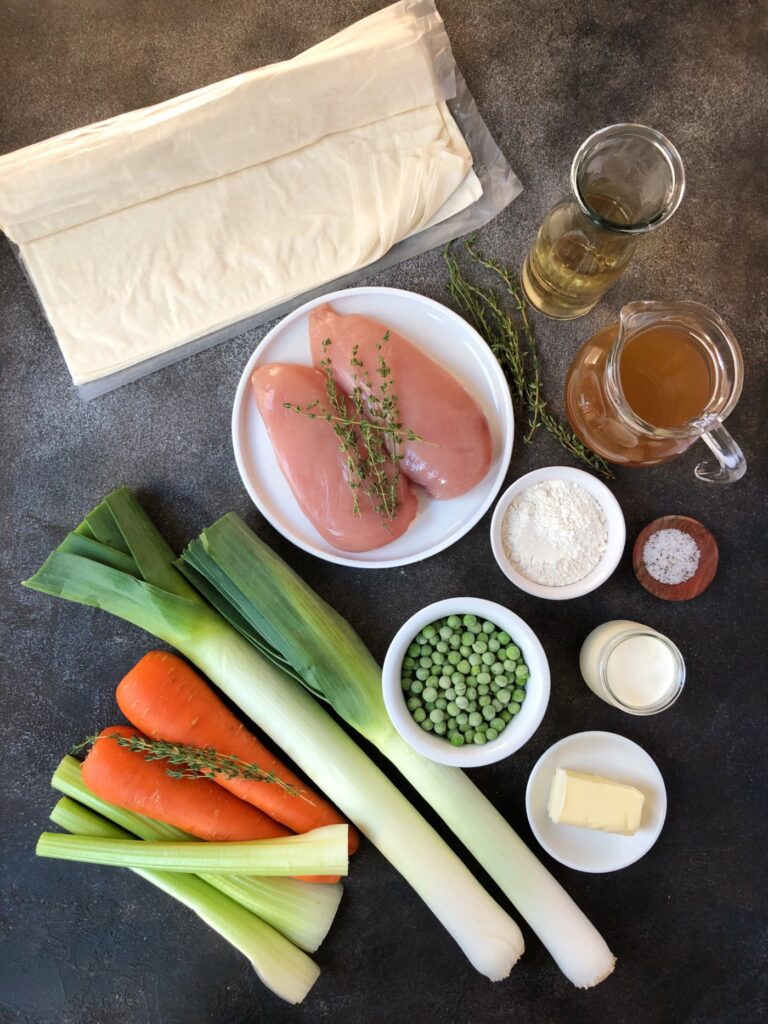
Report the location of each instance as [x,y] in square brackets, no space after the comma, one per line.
[554,533]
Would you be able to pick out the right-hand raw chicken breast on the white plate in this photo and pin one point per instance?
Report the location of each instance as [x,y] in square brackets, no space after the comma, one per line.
[431,401]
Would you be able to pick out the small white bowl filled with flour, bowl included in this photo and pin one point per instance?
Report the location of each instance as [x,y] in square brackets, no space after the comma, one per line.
[558,533]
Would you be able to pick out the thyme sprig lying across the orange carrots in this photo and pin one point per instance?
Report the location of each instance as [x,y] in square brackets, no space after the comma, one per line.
[196,762]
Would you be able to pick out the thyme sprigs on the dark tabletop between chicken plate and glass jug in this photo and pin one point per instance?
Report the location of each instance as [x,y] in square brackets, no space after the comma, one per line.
[510,337]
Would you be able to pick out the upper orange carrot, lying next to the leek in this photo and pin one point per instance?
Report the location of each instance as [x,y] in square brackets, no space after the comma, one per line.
[167,700]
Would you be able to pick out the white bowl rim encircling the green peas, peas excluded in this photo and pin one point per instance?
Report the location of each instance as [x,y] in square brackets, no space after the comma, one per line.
[436,748]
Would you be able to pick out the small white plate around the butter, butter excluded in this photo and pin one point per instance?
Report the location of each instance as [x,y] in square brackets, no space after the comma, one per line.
[613,757]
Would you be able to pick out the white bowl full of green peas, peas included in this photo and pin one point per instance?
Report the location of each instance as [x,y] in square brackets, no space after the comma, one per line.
[466,682]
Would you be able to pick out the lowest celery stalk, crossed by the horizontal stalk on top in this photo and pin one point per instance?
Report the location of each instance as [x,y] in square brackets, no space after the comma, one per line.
[283,968]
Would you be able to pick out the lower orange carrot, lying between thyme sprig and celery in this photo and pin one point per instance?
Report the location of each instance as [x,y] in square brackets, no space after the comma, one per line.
[197,806]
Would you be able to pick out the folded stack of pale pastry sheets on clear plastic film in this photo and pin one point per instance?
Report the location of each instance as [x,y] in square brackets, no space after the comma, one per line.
[165,231]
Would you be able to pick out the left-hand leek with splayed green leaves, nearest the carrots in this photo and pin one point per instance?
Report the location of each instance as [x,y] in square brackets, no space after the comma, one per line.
[160,601]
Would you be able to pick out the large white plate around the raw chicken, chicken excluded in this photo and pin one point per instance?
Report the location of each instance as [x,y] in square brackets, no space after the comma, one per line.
[446,338]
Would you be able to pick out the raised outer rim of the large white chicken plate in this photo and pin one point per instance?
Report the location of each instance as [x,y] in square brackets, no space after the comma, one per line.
[348,559]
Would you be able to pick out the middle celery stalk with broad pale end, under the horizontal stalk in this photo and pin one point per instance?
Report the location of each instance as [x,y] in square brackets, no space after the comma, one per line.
[304,912]
